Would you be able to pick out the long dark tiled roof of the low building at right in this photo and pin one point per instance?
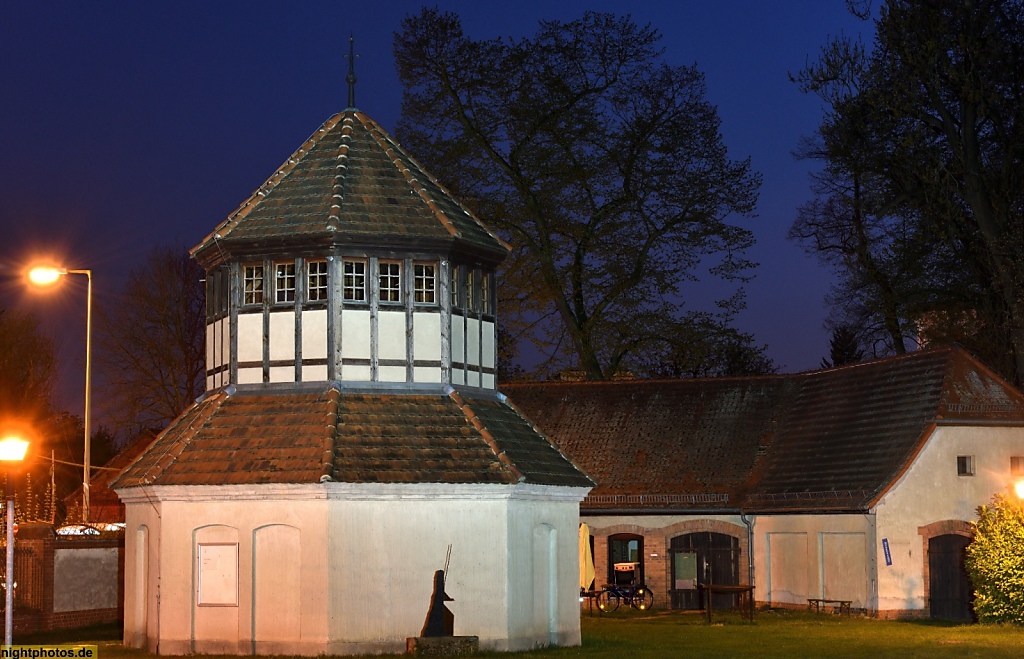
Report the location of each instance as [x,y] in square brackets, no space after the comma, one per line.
[834,440]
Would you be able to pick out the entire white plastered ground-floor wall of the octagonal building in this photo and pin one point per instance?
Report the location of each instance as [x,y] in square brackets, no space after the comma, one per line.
[345,569]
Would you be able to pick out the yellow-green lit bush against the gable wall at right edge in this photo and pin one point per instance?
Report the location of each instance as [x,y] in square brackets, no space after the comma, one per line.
[996,561]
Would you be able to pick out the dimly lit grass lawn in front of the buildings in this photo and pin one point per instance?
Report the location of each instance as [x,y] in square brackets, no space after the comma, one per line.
[630,635]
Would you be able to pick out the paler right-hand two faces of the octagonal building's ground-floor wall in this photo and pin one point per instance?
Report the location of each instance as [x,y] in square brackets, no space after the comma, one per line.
[397,537]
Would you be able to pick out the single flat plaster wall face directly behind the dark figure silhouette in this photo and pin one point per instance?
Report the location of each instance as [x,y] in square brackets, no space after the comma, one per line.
[397,547]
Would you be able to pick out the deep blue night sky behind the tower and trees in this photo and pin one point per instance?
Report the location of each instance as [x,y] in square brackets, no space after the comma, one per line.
[129,124]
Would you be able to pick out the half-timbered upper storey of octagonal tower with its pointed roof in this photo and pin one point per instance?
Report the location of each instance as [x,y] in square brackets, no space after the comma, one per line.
[352,263]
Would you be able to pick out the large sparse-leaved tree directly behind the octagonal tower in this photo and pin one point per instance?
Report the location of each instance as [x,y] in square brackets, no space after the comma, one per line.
[603,165]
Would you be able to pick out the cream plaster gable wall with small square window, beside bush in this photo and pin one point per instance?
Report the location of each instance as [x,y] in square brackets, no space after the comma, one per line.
[931,492]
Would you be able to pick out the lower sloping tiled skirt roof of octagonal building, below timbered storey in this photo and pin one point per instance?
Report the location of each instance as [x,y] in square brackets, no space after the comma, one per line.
[329,435]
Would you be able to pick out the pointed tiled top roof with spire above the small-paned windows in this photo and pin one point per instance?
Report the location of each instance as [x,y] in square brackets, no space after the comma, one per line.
[352,184]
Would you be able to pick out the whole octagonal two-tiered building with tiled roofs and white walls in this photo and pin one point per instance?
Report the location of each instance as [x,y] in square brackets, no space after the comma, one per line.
[352,434]
